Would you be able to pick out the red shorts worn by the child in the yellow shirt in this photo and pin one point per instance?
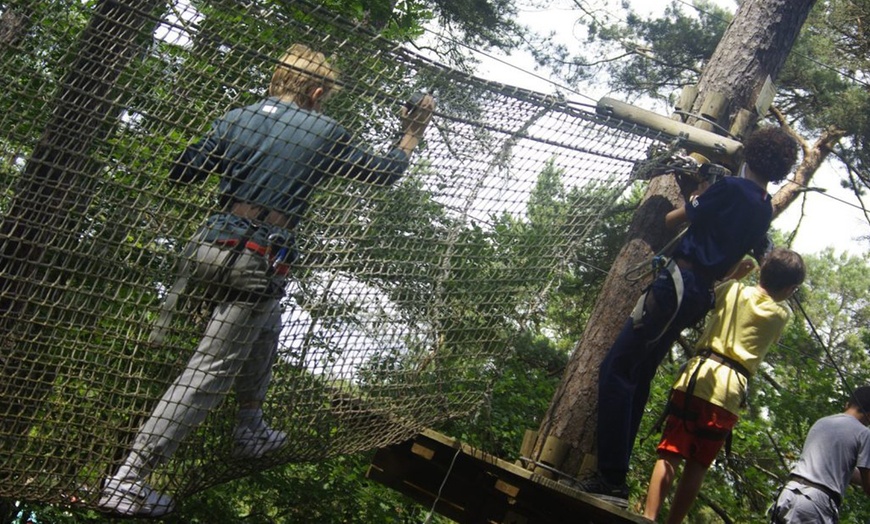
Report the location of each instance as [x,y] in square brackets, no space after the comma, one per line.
[699,438]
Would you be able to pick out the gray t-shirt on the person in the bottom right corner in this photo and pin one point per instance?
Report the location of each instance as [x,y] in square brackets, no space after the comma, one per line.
[834,447]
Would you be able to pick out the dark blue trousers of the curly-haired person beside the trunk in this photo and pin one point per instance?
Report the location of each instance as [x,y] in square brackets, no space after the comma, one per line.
[627,371]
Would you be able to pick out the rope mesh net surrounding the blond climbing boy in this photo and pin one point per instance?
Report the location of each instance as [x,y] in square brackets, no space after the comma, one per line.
[403,297]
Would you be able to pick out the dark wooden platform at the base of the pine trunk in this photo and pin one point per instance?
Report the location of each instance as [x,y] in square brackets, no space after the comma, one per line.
[477,488]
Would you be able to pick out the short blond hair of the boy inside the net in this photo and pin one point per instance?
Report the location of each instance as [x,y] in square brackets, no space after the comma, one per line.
[300,71]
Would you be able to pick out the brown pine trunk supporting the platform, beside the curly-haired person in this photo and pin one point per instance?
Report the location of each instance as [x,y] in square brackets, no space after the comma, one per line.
[754,46]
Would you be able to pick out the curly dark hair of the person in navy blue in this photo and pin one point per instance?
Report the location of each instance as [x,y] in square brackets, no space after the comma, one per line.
[771,153]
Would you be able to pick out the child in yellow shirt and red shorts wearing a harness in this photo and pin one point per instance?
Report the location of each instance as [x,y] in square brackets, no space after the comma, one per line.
[745,322]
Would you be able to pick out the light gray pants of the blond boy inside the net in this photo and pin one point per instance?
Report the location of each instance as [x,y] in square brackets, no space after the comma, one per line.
[236,352]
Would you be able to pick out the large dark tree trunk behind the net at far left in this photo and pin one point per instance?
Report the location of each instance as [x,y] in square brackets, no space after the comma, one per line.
[47,213]
